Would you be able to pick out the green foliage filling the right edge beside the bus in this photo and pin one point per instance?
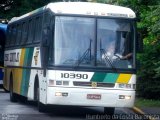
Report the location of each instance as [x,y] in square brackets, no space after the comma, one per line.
[149,73]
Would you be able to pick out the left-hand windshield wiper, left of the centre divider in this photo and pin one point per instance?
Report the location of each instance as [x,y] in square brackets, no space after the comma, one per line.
[85,55]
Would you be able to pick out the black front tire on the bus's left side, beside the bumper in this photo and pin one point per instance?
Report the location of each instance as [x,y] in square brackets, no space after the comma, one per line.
[41,106]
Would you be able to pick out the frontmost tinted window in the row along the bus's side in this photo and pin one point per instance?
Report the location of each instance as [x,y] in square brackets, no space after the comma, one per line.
[38,29]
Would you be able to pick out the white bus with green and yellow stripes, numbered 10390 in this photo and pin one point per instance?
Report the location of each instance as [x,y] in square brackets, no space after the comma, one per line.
[73,53]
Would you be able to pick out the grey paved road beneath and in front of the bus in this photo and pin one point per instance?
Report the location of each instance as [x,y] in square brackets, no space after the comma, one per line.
[28,111]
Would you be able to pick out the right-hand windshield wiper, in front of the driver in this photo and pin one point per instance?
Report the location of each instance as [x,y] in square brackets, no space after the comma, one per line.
[106,57]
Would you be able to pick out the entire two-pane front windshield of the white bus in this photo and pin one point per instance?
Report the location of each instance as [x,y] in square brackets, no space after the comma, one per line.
[94,42]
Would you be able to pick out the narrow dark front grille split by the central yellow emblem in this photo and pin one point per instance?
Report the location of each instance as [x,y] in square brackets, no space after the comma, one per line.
[89,84]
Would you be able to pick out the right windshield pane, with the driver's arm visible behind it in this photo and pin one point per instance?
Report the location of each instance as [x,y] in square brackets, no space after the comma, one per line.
[114,43]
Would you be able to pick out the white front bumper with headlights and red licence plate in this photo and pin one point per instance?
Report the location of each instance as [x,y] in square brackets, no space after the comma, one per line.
[90,97]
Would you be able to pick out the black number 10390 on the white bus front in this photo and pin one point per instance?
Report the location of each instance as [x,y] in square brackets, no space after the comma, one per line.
[74,76]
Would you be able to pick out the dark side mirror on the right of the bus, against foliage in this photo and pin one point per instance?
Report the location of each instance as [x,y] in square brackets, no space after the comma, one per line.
[139,43]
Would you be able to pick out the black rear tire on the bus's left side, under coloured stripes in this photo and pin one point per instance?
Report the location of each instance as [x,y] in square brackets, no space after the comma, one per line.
[13,96]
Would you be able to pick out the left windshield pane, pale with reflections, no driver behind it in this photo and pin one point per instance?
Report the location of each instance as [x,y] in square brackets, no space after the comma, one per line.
[73,40]
